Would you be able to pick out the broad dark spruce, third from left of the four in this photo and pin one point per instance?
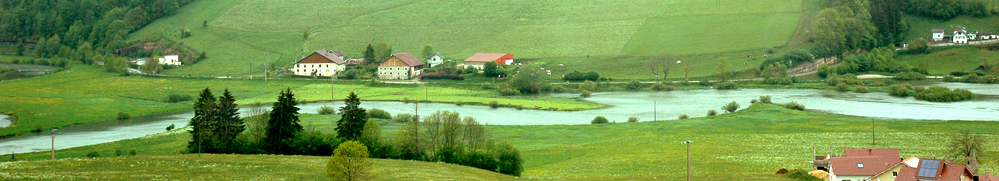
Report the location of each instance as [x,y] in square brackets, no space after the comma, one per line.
[283,123]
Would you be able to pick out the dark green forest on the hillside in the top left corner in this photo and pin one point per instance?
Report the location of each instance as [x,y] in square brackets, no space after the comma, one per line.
[103,24]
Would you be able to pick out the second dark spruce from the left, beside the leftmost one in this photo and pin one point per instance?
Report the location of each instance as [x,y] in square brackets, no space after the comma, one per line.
[230,124]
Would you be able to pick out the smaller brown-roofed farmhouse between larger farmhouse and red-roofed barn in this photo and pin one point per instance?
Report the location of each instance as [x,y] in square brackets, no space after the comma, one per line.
[401,66]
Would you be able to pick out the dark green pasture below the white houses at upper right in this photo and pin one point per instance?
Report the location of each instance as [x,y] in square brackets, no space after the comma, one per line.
[943,61]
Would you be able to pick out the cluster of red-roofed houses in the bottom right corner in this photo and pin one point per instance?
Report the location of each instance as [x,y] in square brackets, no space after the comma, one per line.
[887,165]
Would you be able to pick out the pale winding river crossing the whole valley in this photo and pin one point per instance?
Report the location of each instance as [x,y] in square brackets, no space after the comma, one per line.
[621,106]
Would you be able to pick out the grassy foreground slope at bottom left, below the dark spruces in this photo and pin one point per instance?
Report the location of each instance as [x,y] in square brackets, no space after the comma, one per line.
[228,167]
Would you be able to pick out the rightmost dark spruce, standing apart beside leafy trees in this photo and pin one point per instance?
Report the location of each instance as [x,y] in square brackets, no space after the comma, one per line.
[351,124]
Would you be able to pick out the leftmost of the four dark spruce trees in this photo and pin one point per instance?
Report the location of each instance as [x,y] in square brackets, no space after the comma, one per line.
[204,115]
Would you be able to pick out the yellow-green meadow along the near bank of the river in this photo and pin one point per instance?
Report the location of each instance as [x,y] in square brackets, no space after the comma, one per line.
[749,144]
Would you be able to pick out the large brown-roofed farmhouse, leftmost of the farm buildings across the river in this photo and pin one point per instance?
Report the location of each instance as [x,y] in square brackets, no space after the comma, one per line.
[323,63]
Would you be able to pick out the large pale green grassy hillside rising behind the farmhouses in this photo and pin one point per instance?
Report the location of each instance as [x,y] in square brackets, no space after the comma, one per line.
[241,31]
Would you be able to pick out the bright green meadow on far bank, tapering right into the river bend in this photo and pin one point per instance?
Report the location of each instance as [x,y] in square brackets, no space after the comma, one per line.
[83,94]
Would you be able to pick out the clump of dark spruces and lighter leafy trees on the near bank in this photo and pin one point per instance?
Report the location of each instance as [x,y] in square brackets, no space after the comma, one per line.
[441,136]
